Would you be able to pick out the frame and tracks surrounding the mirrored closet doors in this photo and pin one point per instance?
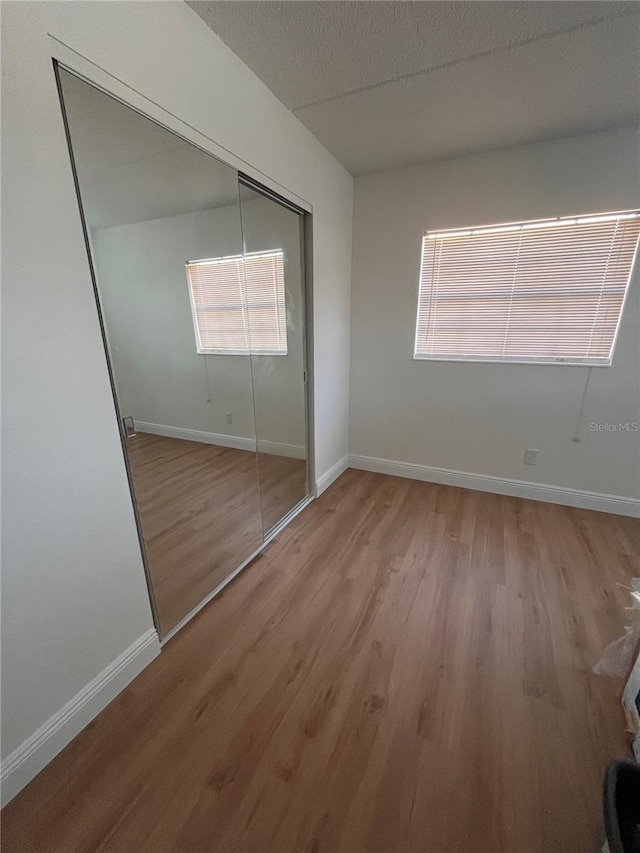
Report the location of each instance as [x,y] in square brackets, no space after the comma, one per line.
[69,60]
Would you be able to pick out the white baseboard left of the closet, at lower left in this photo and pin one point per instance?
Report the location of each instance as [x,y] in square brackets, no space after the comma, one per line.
[27,760]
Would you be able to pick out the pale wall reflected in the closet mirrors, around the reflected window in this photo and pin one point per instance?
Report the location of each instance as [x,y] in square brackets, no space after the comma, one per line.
[161,379]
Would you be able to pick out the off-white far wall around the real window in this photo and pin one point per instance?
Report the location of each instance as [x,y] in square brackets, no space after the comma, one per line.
[480,417]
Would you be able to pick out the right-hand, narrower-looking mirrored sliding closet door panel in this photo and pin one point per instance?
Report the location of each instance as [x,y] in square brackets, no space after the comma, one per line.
[274,275]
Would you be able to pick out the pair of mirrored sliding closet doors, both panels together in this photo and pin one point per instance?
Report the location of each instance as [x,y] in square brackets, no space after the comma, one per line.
[199,283]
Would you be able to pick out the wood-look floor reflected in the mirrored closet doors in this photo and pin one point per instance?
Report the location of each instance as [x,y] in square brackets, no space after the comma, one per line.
[202,510]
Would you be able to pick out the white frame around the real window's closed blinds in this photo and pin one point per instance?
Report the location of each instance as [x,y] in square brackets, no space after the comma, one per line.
[546,360]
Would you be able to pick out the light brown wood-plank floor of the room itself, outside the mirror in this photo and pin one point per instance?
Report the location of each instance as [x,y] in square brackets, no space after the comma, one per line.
[407,667]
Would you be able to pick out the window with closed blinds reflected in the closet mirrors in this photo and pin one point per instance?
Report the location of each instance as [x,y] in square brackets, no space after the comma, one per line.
[238,304]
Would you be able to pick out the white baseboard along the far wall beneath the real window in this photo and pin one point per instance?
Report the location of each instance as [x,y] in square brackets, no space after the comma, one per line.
[501,486]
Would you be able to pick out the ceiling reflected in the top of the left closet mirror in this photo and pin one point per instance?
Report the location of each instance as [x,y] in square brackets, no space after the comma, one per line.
[131,169]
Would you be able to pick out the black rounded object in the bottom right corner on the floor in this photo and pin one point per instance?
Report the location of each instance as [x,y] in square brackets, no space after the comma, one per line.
[621,803]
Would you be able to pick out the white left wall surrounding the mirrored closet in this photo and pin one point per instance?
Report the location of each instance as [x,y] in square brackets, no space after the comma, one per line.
[74,593]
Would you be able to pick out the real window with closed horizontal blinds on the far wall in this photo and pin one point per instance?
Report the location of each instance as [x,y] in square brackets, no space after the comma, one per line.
[543,291]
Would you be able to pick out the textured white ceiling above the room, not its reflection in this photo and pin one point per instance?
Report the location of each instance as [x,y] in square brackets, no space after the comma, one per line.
[390,83]
